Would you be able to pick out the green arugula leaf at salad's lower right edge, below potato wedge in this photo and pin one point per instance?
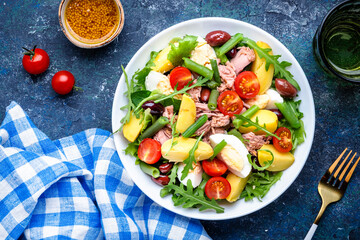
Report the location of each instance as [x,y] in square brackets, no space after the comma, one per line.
[259,184]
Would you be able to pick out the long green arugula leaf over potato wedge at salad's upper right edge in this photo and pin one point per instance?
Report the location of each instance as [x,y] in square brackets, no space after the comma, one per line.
[279,67]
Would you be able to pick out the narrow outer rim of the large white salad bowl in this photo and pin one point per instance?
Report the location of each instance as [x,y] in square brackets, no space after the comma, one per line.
[309,135]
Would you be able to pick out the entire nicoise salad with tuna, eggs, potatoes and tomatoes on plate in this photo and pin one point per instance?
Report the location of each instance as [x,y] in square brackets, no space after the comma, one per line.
[213,119]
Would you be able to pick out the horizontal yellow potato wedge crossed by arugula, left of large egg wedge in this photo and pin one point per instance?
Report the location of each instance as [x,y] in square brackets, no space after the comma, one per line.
[180,150]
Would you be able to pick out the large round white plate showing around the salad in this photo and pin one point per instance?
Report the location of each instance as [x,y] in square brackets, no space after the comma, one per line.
[201,27]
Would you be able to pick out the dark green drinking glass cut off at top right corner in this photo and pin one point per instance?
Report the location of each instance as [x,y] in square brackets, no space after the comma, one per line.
[336,43]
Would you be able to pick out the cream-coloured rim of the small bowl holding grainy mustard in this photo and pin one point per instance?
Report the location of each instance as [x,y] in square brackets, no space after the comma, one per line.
[90,45]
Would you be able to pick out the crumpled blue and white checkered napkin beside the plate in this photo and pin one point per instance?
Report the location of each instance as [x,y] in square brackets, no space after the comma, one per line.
[75,188]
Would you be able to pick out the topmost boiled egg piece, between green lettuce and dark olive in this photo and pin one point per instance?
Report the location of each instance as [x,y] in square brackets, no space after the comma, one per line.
[202,53]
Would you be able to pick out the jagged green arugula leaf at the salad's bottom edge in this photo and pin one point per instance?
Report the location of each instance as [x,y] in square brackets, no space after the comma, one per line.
[187,198]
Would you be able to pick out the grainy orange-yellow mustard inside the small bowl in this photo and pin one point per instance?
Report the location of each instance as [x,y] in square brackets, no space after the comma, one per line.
[92,21]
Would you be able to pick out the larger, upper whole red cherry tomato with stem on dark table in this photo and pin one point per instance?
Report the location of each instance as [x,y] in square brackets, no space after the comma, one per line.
[35,61]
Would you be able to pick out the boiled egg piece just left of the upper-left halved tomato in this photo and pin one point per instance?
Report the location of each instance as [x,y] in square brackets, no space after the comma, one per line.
[155,80]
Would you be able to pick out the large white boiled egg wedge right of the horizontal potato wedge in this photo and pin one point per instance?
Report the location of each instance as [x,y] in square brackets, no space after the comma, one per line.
[234,154]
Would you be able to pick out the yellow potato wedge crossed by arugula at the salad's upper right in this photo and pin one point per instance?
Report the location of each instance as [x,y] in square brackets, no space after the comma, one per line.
[258,67]
